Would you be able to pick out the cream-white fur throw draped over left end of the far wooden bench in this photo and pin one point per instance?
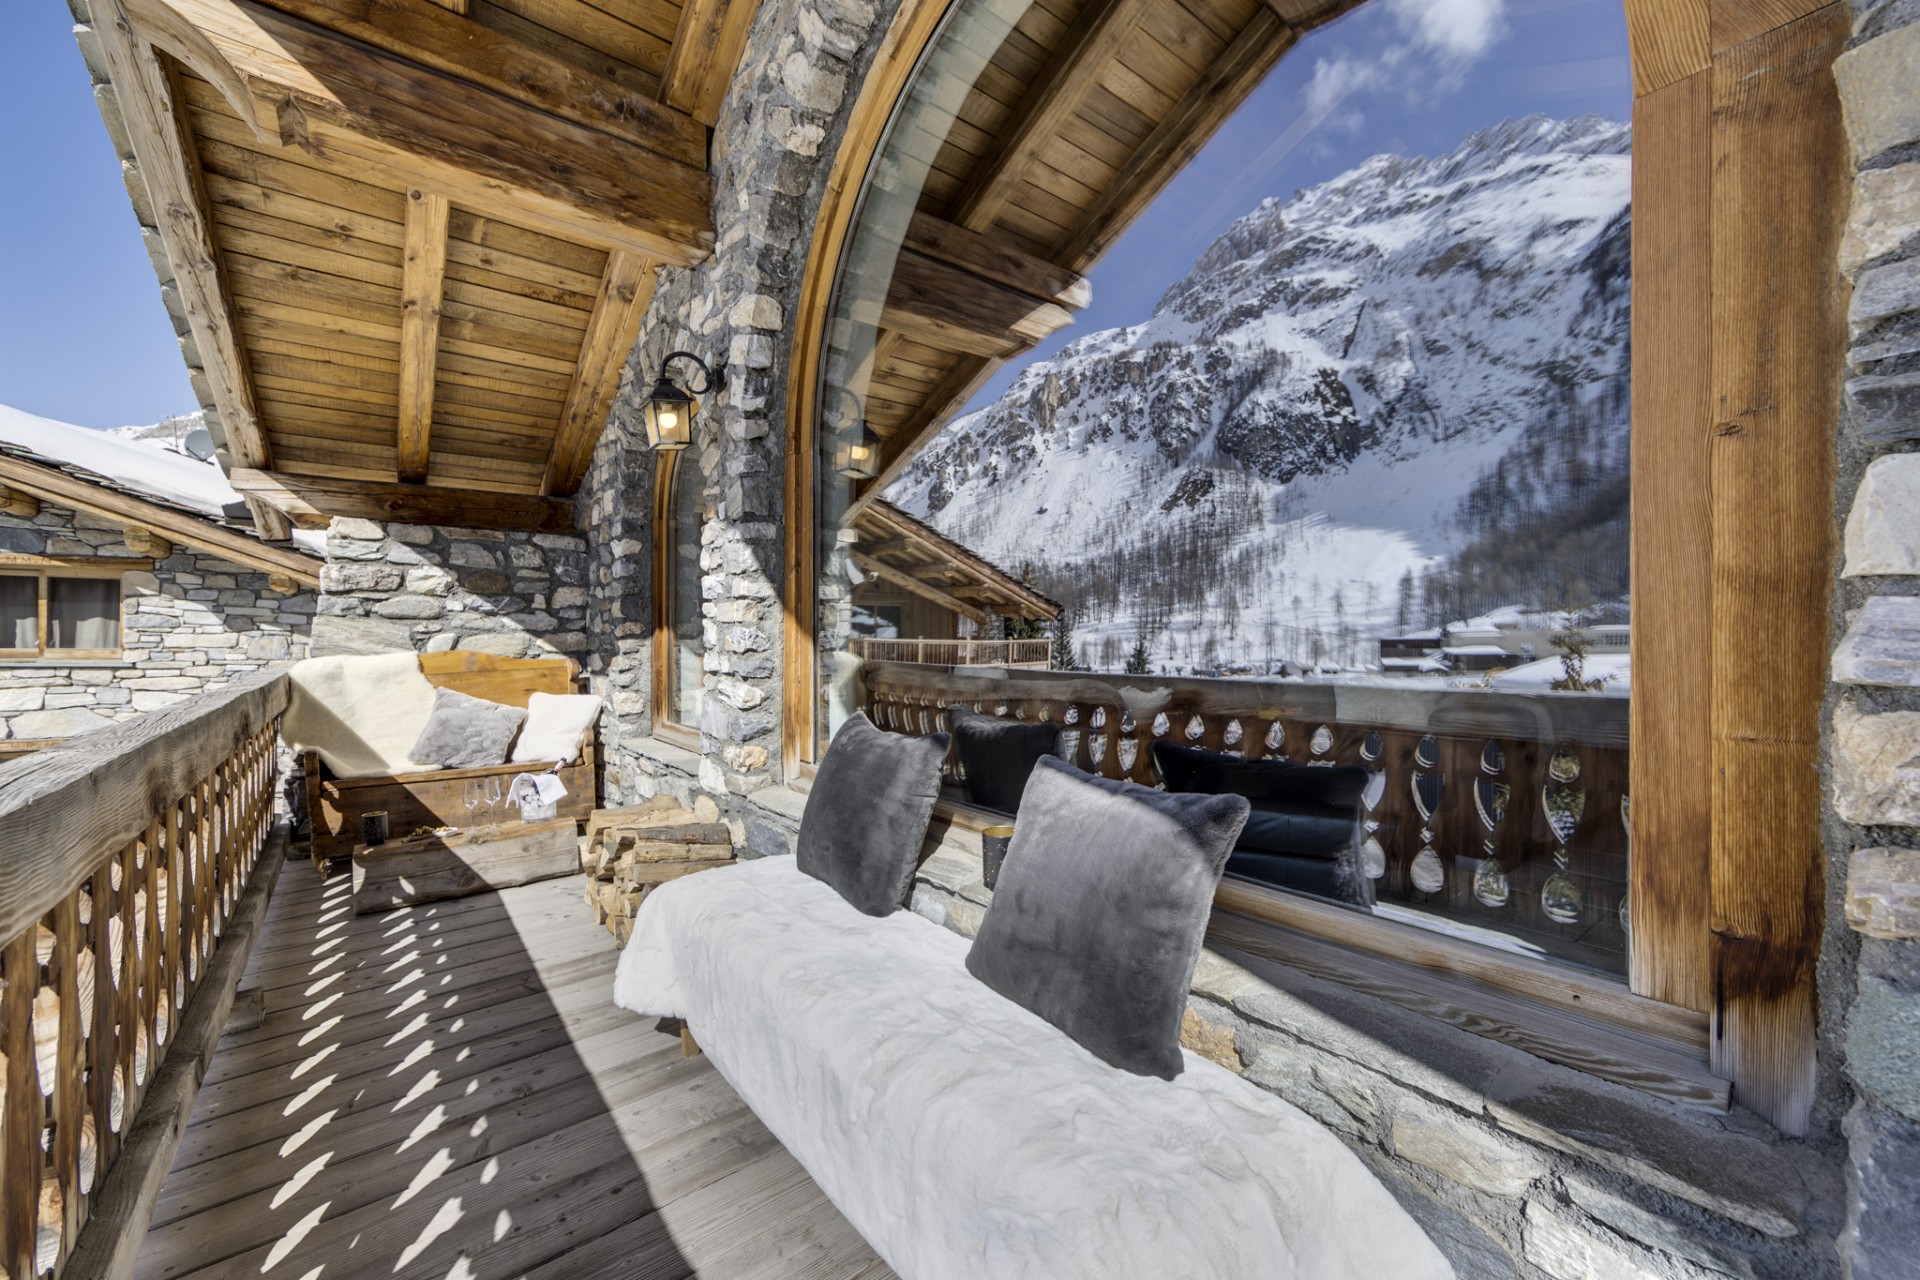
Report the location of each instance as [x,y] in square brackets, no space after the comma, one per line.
[360,713]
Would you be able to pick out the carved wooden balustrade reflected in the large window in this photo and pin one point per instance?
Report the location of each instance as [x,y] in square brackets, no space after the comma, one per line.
[1493,815]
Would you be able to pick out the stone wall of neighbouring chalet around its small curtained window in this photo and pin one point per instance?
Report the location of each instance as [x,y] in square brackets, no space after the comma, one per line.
[191,625]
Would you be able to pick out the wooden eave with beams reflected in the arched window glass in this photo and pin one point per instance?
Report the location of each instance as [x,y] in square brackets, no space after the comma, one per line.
[1076,126]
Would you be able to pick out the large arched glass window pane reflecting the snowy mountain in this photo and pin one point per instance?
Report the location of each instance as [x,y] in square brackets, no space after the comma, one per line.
[1332,471]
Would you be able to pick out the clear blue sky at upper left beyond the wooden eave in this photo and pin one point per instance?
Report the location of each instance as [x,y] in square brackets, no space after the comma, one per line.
[84,337]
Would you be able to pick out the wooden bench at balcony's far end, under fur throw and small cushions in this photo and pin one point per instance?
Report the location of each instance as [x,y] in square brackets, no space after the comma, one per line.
[437,799]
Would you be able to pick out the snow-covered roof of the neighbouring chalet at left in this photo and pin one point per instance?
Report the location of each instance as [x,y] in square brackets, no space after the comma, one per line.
[141,486]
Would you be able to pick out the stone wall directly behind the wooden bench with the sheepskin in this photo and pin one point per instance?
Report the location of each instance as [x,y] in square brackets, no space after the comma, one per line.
[423,588]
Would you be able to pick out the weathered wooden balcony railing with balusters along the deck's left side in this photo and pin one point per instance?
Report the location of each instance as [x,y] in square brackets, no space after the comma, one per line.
[122,861]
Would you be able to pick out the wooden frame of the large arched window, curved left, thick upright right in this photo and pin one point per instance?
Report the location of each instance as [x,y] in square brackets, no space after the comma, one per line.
[1739,327]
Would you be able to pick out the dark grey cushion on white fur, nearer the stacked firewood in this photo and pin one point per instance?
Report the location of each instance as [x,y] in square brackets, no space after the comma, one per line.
[869,811]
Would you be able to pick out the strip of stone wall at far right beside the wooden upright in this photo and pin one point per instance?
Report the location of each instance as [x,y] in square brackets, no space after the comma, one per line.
[1871,995]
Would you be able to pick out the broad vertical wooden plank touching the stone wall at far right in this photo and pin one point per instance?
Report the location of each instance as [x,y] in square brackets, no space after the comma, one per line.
[1779,199]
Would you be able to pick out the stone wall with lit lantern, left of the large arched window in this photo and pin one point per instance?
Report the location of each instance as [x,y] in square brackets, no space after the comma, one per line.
[775,141]
